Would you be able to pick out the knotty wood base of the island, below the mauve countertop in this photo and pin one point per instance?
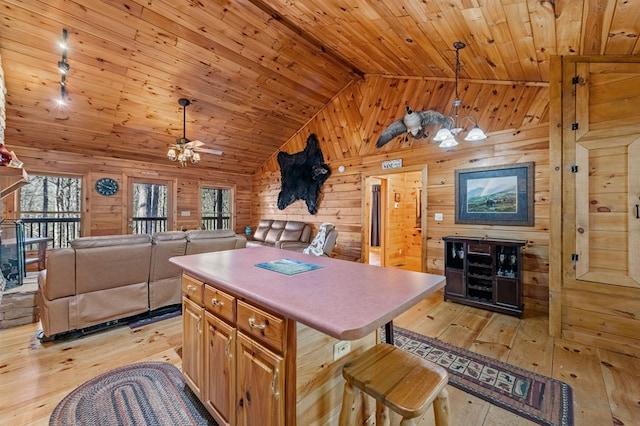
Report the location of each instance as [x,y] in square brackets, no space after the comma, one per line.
[251,366]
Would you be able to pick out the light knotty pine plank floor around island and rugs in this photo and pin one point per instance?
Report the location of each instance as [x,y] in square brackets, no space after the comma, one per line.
[34,377]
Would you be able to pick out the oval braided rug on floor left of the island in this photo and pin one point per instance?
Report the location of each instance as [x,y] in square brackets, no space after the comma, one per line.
[147,393]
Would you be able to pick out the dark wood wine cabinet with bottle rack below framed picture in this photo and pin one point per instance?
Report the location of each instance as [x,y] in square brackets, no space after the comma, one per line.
[484,272]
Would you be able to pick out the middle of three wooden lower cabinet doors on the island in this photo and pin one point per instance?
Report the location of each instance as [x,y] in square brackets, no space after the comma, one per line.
[219,369]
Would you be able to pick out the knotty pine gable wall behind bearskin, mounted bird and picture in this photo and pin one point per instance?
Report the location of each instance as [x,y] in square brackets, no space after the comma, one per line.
[516,116]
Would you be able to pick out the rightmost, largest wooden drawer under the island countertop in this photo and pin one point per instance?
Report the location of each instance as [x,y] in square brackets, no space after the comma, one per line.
[262,326]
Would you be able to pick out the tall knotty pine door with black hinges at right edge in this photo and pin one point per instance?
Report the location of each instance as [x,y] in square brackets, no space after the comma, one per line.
[601,199]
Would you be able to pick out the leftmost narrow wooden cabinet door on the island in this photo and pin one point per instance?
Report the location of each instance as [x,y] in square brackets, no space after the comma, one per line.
[192,316]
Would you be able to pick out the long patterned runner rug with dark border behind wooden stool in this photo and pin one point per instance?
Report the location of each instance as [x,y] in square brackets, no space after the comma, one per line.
[538,398]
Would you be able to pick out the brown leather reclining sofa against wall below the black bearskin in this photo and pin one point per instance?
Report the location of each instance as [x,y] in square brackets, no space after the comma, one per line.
[277,233]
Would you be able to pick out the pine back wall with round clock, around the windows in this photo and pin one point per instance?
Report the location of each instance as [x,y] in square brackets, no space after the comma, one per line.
[108,215]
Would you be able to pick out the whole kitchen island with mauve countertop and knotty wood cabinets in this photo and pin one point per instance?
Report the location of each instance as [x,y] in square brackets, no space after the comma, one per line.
[267,347]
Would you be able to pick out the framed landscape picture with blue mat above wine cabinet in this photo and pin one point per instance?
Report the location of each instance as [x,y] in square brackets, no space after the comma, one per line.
[495,195]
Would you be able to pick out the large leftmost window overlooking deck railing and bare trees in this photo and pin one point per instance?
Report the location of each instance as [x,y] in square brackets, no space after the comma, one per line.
[50,206]
